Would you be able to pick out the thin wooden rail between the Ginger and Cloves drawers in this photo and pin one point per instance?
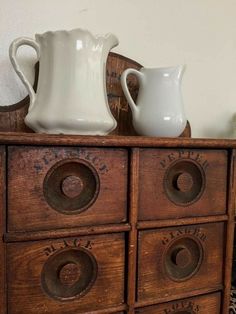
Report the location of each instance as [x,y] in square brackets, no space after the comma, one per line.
[197,292]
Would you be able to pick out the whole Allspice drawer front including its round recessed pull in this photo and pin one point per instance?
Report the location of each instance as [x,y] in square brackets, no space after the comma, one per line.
[51,188]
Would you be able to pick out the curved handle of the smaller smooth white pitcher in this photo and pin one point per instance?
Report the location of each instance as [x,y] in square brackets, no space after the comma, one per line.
[140,76]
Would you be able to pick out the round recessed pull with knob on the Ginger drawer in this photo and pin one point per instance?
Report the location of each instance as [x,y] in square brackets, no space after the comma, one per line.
[182,259]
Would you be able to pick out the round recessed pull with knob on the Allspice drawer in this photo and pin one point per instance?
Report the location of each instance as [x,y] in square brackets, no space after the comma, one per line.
[71,186]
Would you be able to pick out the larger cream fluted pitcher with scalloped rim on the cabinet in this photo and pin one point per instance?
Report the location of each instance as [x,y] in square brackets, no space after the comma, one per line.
[71,94]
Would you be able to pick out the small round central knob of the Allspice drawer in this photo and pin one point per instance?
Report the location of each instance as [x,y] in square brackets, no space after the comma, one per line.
[72,186]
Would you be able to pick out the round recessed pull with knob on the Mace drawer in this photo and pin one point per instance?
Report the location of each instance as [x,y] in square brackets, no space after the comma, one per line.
[69,273]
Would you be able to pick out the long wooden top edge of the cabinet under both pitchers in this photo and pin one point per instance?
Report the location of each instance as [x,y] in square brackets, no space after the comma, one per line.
[114,141]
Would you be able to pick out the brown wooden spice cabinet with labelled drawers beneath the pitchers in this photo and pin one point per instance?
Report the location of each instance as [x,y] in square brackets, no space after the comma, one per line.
[116,224]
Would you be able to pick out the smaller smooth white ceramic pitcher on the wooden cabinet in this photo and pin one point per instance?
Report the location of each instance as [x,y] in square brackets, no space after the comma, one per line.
[159,110]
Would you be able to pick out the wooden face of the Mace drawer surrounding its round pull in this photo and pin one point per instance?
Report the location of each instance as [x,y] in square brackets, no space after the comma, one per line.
[26,261]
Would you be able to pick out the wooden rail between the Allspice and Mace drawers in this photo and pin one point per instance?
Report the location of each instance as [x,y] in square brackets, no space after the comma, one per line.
[61,233]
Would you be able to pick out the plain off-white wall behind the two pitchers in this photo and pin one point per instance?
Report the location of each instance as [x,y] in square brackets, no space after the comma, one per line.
[198,33]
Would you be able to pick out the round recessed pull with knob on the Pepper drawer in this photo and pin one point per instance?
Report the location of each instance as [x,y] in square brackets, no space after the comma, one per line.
[184,182]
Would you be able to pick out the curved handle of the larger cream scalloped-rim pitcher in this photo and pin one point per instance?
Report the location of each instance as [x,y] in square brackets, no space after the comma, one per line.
[13,53]
